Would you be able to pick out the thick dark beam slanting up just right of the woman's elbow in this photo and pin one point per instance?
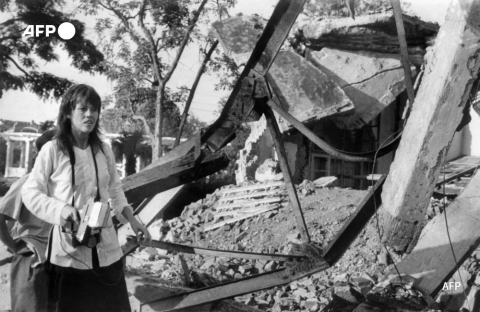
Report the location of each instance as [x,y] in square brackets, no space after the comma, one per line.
[163,177]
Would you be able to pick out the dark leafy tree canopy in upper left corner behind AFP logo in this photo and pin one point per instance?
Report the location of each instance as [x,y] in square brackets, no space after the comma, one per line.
[20,55]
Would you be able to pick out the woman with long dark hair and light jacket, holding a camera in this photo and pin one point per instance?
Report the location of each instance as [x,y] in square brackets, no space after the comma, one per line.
[65,177]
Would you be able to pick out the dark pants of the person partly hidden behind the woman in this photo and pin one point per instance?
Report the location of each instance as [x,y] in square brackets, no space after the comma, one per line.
[28,286]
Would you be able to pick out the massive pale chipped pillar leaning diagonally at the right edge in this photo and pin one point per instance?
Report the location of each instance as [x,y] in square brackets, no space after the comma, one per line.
[437,111]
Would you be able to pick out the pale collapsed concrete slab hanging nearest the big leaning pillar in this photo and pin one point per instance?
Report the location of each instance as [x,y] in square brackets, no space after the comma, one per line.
[371,80]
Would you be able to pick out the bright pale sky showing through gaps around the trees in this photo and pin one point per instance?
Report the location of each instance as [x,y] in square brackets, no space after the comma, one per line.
[25,106]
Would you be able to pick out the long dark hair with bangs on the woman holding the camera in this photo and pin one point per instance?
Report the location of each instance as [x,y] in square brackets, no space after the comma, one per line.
[77,94]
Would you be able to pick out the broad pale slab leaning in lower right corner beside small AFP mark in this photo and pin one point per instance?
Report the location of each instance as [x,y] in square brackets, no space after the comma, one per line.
[431,261]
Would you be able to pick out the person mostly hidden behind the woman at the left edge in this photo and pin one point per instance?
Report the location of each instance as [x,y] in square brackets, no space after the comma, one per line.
[28,244]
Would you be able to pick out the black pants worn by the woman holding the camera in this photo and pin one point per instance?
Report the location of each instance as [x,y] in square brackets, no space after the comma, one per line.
[100,289]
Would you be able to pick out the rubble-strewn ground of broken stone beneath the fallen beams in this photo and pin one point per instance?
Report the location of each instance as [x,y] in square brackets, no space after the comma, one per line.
[358,282]
